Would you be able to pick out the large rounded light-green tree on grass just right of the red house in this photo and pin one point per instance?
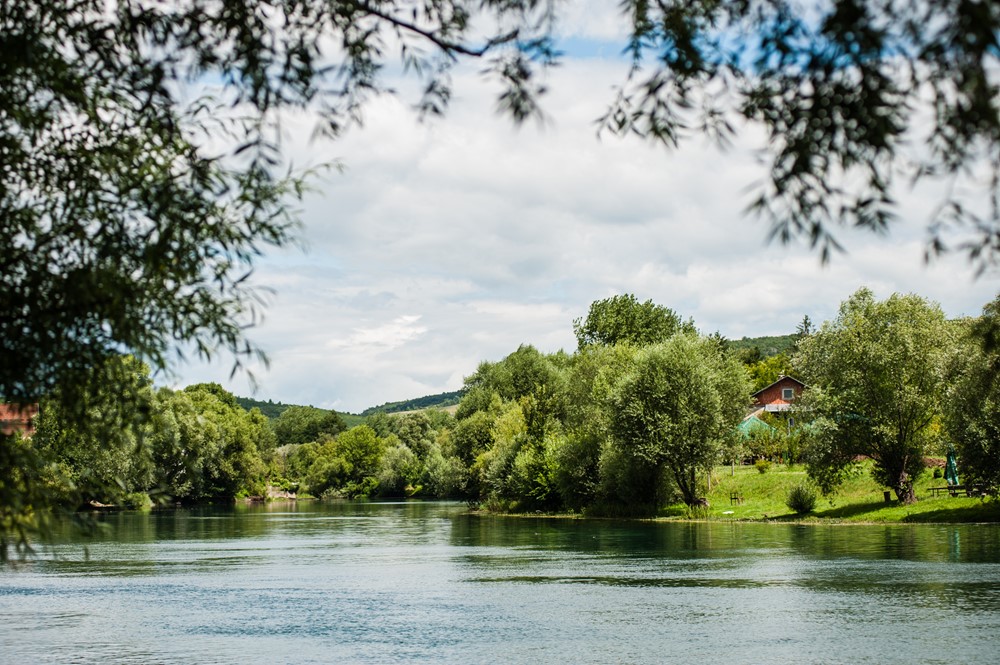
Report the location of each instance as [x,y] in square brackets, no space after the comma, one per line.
[876,385]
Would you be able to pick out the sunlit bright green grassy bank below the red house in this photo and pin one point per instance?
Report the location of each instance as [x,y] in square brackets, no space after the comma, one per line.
[857,500]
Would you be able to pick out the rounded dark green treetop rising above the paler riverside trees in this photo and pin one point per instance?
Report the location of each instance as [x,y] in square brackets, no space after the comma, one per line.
[624,320]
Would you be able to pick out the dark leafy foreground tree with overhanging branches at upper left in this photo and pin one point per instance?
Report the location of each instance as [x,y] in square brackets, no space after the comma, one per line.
[132,207]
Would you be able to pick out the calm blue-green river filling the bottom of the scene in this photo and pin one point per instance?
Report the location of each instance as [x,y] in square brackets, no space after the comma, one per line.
[413,582]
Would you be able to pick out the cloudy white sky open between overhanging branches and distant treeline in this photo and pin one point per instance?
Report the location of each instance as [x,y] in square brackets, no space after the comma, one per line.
[445,243]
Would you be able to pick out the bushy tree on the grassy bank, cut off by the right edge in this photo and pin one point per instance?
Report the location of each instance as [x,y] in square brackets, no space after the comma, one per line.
[972,407]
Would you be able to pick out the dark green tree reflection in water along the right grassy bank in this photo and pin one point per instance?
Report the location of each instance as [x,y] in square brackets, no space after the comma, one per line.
[901,566]
